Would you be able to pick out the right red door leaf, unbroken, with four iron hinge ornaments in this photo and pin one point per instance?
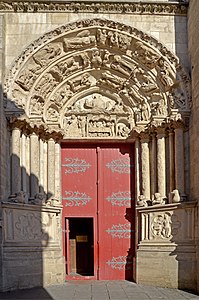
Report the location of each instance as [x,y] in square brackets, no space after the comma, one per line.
[115,223]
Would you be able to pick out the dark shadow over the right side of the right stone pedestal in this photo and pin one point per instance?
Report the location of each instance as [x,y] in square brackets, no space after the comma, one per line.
[182,233]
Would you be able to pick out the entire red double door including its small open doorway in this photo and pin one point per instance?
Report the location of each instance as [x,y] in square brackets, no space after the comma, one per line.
[98,211]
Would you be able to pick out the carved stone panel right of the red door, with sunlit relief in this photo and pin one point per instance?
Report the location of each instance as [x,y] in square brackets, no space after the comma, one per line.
[168,224]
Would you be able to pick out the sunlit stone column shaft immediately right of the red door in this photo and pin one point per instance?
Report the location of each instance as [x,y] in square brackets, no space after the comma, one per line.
[145,172]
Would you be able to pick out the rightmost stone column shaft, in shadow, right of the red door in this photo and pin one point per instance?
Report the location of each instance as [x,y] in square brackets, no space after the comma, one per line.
[179,160]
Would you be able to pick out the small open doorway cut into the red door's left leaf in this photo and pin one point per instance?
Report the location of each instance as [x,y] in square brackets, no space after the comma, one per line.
[80,246]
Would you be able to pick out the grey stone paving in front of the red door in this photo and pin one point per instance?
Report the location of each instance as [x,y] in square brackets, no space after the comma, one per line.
[98,290]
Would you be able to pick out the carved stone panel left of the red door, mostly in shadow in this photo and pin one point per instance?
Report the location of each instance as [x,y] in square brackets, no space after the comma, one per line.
[31,225]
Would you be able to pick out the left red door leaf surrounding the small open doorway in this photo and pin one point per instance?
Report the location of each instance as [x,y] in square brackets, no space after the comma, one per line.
[79,192]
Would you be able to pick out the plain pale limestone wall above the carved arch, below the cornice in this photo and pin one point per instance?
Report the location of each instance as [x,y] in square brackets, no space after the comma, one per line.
[22,29]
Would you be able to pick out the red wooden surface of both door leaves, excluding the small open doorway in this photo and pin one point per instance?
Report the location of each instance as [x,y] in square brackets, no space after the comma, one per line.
[97,182]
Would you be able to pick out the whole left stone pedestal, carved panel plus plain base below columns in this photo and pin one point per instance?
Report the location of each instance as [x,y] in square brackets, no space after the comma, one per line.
[32,246]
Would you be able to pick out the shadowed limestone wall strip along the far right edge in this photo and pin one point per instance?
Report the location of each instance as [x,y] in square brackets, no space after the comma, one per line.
[193,28]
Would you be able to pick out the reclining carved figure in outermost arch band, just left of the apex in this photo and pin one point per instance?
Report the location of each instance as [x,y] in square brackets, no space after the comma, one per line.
[82,39]
